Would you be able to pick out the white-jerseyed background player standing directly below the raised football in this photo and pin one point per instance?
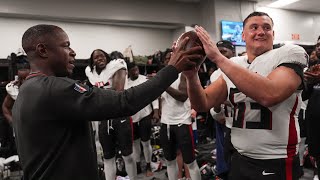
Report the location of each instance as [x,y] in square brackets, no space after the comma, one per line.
[176,128]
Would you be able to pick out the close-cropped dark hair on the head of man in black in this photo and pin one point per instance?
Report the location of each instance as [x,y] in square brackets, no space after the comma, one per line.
[36,34]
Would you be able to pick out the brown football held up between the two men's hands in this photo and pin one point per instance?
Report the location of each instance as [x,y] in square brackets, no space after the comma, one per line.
[192,42]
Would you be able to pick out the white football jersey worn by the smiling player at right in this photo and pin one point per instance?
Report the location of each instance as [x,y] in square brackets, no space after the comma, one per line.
[267,133]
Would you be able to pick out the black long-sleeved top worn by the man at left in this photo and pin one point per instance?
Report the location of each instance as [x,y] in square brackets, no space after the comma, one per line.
[51,122]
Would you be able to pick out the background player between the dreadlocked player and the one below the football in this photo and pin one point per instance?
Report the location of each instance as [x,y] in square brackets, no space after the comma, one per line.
[142,121]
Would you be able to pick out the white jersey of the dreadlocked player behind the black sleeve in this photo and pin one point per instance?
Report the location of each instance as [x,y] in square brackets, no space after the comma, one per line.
[104,79]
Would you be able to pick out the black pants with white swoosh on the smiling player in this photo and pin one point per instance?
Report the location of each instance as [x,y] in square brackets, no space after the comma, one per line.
[245,168]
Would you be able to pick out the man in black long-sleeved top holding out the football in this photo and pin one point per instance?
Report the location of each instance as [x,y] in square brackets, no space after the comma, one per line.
[51,114]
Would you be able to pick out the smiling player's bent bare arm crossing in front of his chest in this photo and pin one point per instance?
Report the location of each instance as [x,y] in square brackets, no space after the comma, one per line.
[267,91]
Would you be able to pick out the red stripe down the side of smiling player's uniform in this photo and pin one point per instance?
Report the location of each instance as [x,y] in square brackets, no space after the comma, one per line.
[292,141]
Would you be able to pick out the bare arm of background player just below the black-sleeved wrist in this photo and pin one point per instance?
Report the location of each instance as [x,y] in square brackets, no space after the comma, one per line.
[179,94]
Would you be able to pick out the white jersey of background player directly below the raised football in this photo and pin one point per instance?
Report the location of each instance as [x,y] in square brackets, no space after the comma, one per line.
[175,112]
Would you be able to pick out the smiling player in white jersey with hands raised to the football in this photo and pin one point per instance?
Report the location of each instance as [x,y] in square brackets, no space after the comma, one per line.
[264,88]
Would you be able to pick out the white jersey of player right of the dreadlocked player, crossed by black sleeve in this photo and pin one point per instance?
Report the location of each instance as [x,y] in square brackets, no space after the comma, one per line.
[146,110]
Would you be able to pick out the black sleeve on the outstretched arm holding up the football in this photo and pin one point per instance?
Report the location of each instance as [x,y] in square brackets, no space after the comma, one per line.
[77,101]
